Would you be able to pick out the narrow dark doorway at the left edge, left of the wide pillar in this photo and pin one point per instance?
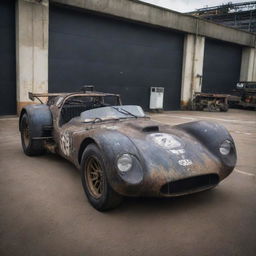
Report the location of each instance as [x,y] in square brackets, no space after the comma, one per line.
[7,56]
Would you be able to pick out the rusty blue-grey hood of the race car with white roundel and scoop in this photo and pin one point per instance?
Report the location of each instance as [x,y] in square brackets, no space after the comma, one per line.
[167,152]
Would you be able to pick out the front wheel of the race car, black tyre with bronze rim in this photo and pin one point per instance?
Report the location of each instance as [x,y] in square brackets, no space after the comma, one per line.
[93,174]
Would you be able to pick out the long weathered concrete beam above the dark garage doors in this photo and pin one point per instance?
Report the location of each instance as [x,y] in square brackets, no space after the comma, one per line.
[138,11]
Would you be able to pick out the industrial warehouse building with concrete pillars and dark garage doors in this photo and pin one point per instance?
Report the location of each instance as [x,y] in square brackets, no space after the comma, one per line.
[120,46]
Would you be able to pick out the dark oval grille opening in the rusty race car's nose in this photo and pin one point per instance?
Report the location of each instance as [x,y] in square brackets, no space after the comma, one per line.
[190,184]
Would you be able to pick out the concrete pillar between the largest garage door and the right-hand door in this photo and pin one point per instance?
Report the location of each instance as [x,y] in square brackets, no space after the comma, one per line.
[192,70]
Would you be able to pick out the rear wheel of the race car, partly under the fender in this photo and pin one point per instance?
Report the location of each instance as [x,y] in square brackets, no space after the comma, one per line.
[30,147]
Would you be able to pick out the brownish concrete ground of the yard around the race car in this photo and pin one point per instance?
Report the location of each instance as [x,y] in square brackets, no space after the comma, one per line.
[43,210]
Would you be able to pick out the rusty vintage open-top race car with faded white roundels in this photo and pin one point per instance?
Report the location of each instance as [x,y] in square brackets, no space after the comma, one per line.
[121,152]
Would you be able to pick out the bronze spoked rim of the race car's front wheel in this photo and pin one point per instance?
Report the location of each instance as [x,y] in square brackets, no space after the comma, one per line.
[94,177]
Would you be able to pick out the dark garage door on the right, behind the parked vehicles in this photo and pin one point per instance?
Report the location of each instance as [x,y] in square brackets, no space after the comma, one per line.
[222,62]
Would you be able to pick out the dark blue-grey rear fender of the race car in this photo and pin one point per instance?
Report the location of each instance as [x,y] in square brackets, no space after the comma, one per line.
[40,119]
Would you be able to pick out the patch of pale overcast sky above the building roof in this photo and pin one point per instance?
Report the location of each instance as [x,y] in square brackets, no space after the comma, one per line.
[189,5]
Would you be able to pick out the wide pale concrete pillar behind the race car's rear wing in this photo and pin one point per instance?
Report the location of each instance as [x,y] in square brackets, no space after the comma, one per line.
[31,49]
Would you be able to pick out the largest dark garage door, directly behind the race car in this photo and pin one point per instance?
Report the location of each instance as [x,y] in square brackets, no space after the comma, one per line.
[114,55]
